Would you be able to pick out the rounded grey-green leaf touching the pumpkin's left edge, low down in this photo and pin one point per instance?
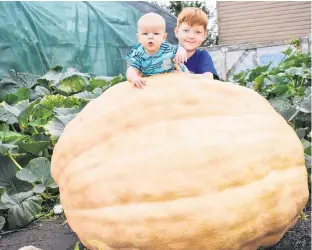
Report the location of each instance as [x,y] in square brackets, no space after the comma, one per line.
[37,171]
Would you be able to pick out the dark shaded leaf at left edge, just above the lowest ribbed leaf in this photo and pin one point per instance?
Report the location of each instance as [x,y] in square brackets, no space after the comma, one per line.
[8,178]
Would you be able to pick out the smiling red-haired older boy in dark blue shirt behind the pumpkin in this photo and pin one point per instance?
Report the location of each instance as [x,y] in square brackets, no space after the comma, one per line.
[191,32]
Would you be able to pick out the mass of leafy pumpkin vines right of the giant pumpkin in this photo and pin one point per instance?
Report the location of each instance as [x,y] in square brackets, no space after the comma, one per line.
[288,88]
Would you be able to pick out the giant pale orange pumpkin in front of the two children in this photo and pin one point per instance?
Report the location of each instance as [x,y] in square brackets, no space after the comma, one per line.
[185,163]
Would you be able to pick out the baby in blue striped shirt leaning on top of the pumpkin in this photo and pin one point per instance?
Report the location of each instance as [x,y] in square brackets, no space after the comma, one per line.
[153,55]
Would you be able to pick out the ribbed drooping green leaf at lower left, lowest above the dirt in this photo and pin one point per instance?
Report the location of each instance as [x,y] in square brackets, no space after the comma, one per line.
[23,207]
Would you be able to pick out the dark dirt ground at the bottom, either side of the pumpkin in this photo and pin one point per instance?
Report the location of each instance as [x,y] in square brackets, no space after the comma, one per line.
[55,235]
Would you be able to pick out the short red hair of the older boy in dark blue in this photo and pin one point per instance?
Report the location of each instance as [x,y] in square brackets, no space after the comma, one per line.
[192,16]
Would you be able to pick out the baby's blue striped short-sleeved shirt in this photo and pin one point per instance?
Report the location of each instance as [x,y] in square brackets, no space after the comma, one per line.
[161,62]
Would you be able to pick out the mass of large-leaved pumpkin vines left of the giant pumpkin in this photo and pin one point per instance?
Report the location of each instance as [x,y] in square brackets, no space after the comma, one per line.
[33,113]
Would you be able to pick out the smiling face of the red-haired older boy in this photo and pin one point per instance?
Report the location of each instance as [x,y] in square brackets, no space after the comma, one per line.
[190,37]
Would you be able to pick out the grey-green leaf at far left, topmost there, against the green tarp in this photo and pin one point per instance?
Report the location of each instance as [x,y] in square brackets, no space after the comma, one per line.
[13,80]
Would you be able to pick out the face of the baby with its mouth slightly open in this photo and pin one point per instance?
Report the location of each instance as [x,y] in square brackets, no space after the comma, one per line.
[151,37]
